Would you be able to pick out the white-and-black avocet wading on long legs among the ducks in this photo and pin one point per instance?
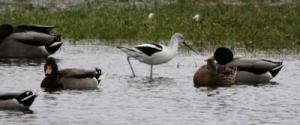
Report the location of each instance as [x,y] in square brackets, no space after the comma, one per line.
[154,54]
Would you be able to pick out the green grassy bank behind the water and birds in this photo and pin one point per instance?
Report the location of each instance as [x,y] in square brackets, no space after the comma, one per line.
[254,26]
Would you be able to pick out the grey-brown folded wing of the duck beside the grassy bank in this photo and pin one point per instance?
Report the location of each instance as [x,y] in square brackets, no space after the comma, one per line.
[33,38]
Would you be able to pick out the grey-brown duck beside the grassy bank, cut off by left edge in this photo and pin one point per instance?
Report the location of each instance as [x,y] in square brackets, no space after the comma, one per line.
[28,41]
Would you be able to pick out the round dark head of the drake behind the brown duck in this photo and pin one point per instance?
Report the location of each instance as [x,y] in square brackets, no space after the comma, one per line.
[223,55]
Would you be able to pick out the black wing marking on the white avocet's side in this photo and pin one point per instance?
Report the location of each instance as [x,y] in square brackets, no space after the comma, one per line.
[149,49]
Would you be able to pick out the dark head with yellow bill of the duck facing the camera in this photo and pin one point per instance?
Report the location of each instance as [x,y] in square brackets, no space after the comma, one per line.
[50,68]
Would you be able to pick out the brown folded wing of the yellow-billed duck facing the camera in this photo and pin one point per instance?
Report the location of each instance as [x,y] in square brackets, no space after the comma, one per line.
[77,73]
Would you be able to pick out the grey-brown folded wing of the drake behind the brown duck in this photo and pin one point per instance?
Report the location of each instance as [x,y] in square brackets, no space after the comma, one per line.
[258,66]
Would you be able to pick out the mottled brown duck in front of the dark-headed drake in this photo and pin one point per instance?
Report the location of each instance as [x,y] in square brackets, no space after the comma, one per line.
[214,75]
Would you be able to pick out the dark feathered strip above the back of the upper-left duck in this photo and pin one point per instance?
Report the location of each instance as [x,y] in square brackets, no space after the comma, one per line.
[36,28]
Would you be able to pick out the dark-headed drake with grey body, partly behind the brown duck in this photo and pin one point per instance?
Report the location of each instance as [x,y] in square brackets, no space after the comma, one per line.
[249,70]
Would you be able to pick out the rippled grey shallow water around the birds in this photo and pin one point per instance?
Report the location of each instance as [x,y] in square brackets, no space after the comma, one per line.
[170,99]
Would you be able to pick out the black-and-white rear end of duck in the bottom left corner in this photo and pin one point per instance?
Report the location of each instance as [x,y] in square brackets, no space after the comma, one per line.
[17,101]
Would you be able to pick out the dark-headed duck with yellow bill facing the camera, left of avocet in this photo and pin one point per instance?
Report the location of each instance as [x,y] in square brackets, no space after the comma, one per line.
[70,78]
